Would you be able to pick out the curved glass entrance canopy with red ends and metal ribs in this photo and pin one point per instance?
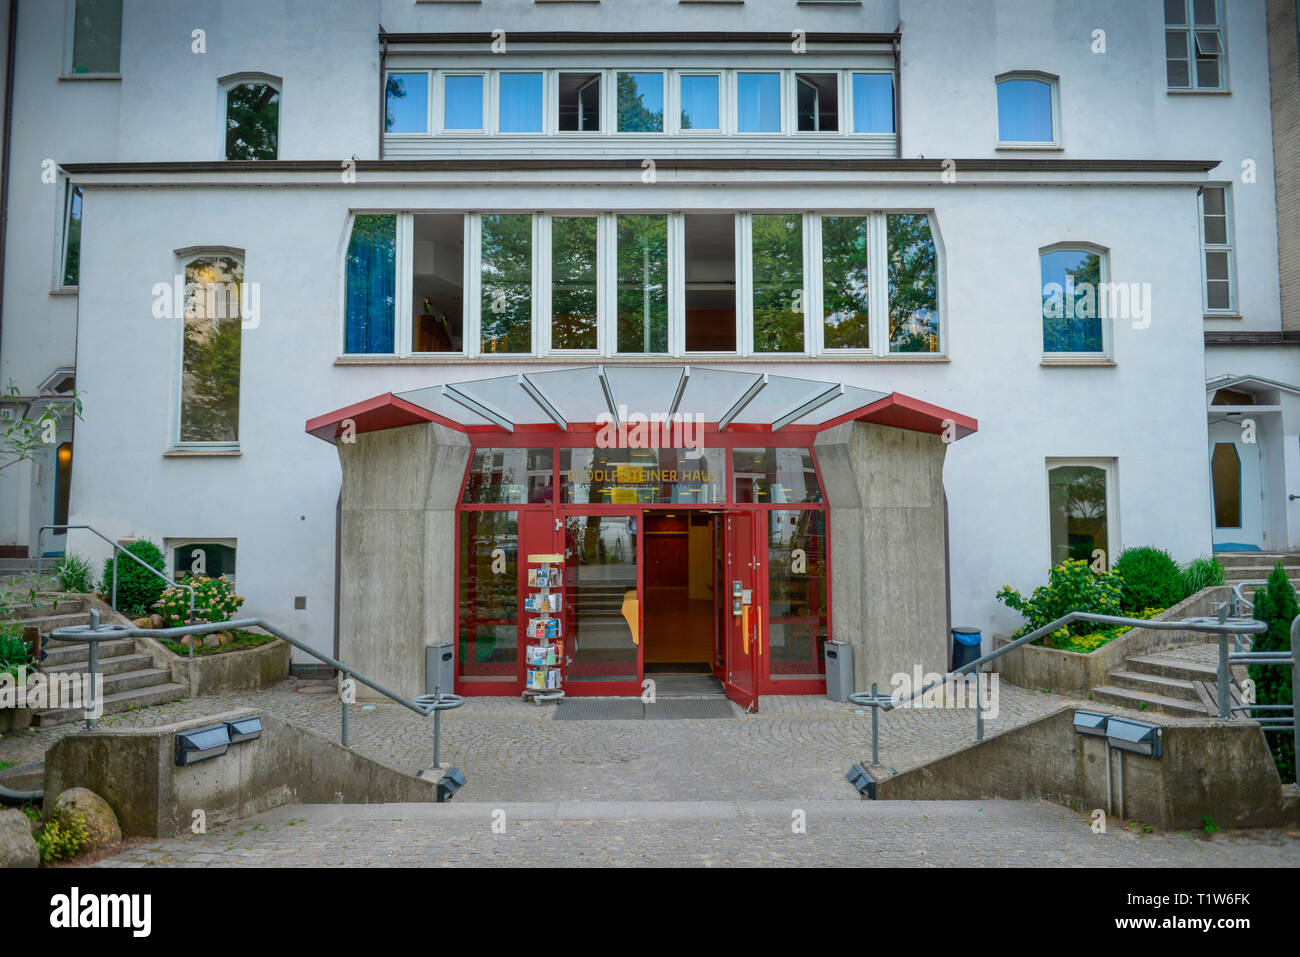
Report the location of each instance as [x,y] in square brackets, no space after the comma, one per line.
[592,396]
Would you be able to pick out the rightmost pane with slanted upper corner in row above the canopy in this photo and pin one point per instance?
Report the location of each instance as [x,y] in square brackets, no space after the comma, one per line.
[913,284]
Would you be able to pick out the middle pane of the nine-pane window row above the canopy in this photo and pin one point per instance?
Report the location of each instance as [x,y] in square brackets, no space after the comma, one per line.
[643,284]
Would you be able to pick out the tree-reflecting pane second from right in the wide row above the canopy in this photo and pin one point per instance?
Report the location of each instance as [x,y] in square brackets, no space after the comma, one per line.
[846,283]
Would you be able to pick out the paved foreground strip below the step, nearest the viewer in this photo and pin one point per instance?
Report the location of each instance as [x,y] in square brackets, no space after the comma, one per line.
[700,834]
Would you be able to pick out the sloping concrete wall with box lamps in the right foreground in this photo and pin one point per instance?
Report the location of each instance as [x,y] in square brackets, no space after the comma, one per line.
[1211,769]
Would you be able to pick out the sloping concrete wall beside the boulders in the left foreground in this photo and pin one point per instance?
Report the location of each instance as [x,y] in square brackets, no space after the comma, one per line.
[135,770]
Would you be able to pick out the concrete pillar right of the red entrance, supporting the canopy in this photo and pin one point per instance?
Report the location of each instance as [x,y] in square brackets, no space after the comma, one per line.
[885,488]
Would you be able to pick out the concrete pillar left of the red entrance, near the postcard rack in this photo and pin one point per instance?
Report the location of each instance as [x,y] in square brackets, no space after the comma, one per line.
[398,552]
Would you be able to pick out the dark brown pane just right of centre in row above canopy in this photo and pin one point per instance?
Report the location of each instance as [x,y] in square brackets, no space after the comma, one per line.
[710,262]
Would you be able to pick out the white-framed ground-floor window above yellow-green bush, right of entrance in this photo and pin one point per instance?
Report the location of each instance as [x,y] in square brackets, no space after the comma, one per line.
[1081,510]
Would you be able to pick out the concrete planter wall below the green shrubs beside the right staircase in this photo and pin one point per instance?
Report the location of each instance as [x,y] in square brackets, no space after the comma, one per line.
[1077,674]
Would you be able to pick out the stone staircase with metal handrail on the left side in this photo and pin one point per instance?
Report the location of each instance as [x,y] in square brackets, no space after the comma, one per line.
[131,679]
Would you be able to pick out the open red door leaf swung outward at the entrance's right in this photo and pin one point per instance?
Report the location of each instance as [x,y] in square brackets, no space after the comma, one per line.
[744,599]
